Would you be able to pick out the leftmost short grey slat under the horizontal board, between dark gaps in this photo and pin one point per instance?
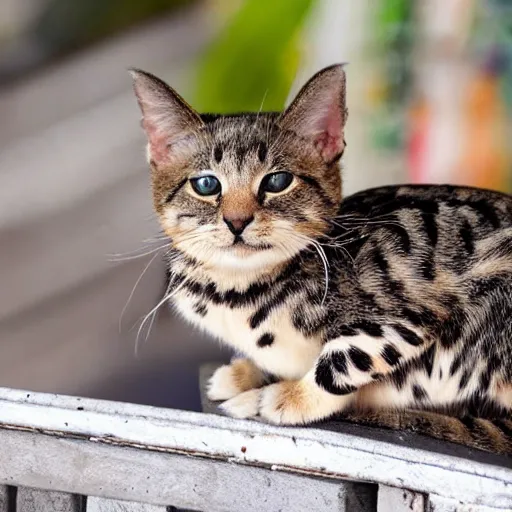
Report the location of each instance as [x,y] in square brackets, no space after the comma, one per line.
[35,500]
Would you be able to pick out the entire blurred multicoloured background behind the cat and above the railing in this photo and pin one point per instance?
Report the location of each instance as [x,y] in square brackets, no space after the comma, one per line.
[429,94]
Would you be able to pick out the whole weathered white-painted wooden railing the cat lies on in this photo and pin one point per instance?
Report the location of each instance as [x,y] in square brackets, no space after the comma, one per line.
[69,454]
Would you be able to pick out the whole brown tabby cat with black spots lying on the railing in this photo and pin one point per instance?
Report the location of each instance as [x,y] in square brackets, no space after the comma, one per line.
[391,307]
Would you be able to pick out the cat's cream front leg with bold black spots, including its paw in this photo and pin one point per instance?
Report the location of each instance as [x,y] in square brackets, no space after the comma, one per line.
[345,365]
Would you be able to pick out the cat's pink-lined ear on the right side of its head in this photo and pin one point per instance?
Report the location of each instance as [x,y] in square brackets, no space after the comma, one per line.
[319,112]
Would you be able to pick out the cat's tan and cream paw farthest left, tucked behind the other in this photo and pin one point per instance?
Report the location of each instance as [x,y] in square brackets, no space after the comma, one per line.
[232,379]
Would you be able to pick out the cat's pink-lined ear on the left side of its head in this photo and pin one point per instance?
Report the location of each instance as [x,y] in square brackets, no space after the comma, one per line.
[166,116]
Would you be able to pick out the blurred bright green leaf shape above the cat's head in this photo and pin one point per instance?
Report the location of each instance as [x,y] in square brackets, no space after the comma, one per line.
[254,59]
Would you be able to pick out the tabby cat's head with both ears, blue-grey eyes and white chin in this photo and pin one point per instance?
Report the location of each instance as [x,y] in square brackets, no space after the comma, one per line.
[245,191]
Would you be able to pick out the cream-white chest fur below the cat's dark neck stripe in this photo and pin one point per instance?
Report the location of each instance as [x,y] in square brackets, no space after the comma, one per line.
[290,355]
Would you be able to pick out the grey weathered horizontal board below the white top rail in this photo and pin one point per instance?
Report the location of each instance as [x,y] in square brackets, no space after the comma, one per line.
[120,472]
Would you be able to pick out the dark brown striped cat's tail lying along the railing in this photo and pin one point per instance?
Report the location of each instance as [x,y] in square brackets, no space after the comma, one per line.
[490,435]
